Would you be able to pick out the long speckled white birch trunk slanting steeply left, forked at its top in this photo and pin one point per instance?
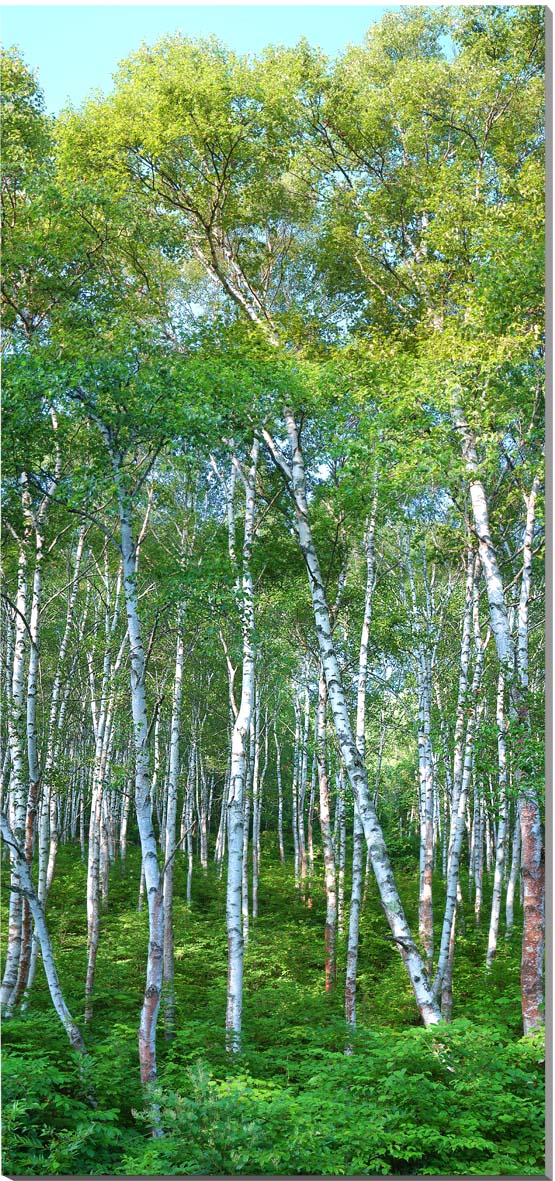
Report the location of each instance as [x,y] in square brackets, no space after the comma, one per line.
[355,767]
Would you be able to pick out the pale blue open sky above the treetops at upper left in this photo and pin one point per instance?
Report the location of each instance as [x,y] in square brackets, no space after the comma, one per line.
[76,48]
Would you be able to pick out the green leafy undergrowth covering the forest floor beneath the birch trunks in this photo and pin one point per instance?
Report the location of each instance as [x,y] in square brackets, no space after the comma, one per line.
[465,1099]
